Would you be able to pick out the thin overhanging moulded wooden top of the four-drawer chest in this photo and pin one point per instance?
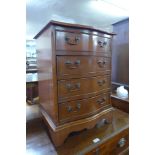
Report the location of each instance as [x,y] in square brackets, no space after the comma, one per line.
[56,23]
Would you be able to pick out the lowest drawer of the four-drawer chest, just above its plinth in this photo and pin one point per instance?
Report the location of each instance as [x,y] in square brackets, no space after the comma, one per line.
[72,110]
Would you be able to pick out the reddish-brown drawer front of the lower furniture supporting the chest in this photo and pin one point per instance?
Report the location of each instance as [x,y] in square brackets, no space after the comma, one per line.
[113,146]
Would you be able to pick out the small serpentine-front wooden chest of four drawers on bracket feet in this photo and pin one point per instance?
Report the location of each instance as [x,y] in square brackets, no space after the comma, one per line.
[74,74]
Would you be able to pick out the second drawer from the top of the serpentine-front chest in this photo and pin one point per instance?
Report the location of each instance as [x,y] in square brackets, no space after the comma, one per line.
[82,66]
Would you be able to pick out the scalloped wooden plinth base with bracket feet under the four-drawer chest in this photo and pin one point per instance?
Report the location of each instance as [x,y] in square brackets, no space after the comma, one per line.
[60,133]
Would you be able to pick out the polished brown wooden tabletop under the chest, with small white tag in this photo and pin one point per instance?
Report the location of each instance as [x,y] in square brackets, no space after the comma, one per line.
[82,142]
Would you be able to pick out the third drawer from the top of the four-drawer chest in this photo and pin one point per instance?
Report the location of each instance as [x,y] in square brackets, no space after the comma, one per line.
[72,89]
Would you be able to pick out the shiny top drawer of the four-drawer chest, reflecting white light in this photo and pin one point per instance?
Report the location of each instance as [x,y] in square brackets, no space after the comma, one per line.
[71,41]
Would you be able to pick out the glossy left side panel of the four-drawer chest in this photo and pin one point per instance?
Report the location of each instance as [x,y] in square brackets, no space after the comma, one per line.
[46,62]
